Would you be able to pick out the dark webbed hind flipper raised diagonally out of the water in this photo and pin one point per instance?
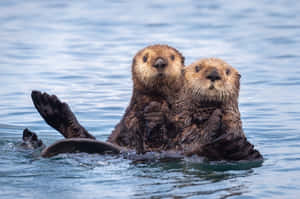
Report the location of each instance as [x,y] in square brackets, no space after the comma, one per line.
[58,115]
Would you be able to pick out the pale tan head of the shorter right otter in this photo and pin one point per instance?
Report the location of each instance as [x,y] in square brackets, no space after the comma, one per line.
[212,80]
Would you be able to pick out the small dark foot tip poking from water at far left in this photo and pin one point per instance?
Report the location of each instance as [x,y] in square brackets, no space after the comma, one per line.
[31,140]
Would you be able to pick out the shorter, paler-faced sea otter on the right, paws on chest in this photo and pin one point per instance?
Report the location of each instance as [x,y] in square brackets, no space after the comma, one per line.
[207,113]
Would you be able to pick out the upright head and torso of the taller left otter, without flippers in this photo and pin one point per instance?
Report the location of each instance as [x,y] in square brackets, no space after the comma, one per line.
[157,80]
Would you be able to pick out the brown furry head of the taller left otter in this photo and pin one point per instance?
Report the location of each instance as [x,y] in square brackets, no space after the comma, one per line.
[156,68]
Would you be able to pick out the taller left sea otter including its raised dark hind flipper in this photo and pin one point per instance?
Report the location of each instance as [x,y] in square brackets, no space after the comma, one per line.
[157,79]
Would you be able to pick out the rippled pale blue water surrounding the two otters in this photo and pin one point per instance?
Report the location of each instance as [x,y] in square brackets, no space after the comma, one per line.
[82,50]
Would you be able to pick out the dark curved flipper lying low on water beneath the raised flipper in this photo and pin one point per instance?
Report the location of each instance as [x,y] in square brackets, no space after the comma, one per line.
[78,145]
